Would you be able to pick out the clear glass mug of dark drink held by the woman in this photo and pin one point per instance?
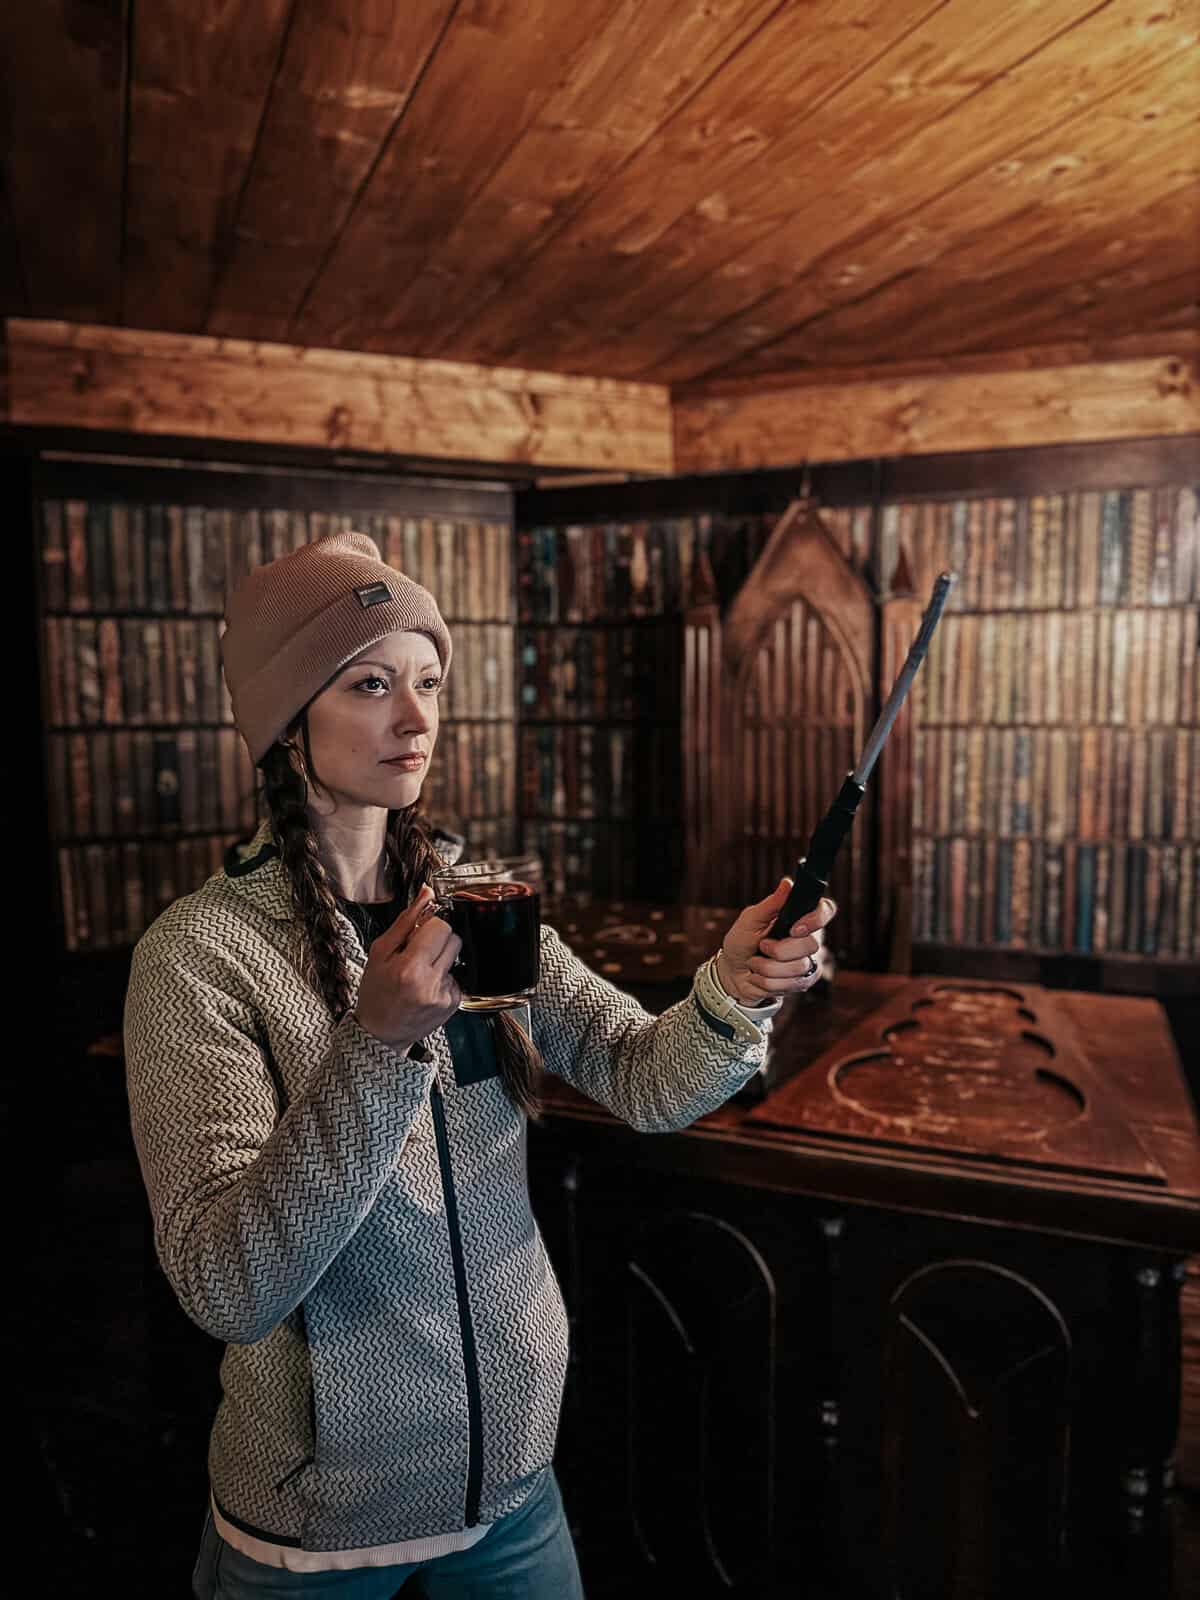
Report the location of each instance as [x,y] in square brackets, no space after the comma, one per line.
[495,908]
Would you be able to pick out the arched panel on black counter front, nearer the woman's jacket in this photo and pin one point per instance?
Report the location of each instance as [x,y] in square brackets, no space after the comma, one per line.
[700,1311]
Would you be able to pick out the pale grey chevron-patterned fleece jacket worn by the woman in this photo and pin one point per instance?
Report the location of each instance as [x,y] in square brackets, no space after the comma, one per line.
[358,1226]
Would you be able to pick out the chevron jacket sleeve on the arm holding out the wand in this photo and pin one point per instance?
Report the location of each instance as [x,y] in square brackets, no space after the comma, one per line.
[655,1073]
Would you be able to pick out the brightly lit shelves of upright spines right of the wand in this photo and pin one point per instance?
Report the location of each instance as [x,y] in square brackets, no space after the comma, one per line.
[1057,727]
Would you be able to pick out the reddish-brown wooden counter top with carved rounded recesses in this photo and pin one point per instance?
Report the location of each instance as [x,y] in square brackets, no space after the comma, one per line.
[1001,1103]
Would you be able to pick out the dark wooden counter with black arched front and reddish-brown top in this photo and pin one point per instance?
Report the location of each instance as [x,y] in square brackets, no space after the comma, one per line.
[814,1361]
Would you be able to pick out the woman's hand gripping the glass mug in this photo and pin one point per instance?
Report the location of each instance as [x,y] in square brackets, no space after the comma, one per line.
[407,988]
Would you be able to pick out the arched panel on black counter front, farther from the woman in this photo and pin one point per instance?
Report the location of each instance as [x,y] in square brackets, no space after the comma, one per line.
[977,1434]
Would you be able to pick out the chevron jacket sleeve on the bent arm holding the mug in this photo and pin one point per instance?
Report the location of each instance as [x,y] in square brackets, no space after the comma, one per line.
[250,1207]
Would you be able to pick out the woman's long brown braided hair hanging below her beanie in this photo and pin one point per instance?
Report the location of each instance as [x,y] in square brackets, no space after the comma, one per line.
[410,863]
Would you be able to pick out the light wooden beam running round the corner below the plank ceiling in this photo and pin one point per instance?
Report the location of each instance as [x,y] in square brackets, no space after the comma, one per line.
[126,382]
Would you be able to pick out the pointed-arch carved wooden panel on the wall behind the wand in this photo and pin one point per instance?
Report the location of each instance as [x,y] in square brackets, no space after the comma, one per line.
[778,702]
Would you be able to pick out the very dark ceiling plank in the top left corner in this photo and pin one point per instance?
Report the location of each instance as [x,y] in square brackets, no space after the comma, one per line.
[63,89]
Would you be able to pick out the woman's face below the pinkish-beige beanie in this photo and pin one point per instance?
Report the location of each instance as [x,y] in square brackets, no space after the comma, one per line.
[372,730]
